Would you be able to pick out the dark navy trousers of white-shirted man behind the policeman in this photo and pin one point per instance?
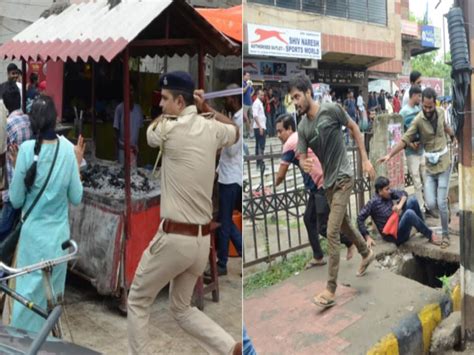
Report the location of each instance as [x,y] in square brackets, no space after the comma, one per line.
[228,196]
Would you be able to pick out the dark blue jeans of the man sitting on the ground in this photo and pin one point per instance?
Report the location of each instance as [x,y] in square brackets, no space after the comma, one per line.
[411,217]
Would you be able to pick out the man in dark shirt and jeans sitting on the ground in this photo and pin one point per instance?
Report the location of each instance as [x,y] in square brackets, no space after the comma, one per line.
[380,208]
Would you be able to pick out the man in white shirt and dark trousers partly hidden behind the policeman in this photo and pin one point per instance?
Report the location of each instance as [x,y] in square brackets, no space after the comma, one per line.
[230,187]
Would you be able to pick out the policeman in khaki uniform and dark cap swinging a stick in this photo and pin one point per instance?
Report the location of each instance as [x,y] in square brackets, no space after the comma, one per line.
[180,249]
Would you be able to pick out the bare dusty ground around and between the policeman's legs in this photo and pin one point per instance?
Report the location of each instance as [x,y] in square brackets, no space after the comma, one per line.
[94,321]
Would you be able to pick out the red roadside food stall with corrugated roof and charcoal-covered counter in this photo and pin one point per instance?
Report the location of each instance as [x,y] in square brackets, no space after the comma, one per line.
[120,210]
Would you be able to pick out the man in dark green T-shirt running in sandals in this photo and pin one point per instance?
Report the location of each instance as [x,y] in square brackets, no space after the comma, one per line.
[321,130]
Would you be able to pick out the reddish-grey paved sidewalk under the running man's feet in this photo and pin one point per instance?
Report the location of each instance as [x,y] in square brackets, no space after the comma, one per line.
[282,319]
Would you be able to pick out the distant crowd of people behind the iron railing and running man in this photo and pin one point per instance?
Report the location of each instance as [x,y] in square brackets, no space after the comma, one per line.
[264,105]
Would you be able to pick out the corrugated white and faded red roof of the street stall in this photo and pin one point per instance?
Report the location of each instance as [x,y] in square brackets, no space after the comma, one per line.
[93,30]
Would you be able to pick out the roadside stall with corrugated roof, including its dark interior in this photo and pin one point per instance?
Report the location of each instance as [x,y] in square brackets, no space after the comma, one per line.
[99,65]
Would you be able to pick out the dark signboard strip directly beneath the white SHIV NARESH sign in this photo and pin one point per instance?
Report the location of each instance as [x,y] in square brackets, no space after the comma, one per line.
[271,70]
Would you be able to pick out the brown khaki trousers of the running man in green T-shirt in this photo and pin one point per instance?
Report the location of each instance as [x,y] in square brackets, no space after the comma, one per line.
[339,222]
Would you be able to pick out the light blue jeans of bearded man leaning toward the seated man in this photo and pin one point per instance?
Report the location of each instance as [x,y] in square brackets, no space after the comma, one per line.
[436,195]
